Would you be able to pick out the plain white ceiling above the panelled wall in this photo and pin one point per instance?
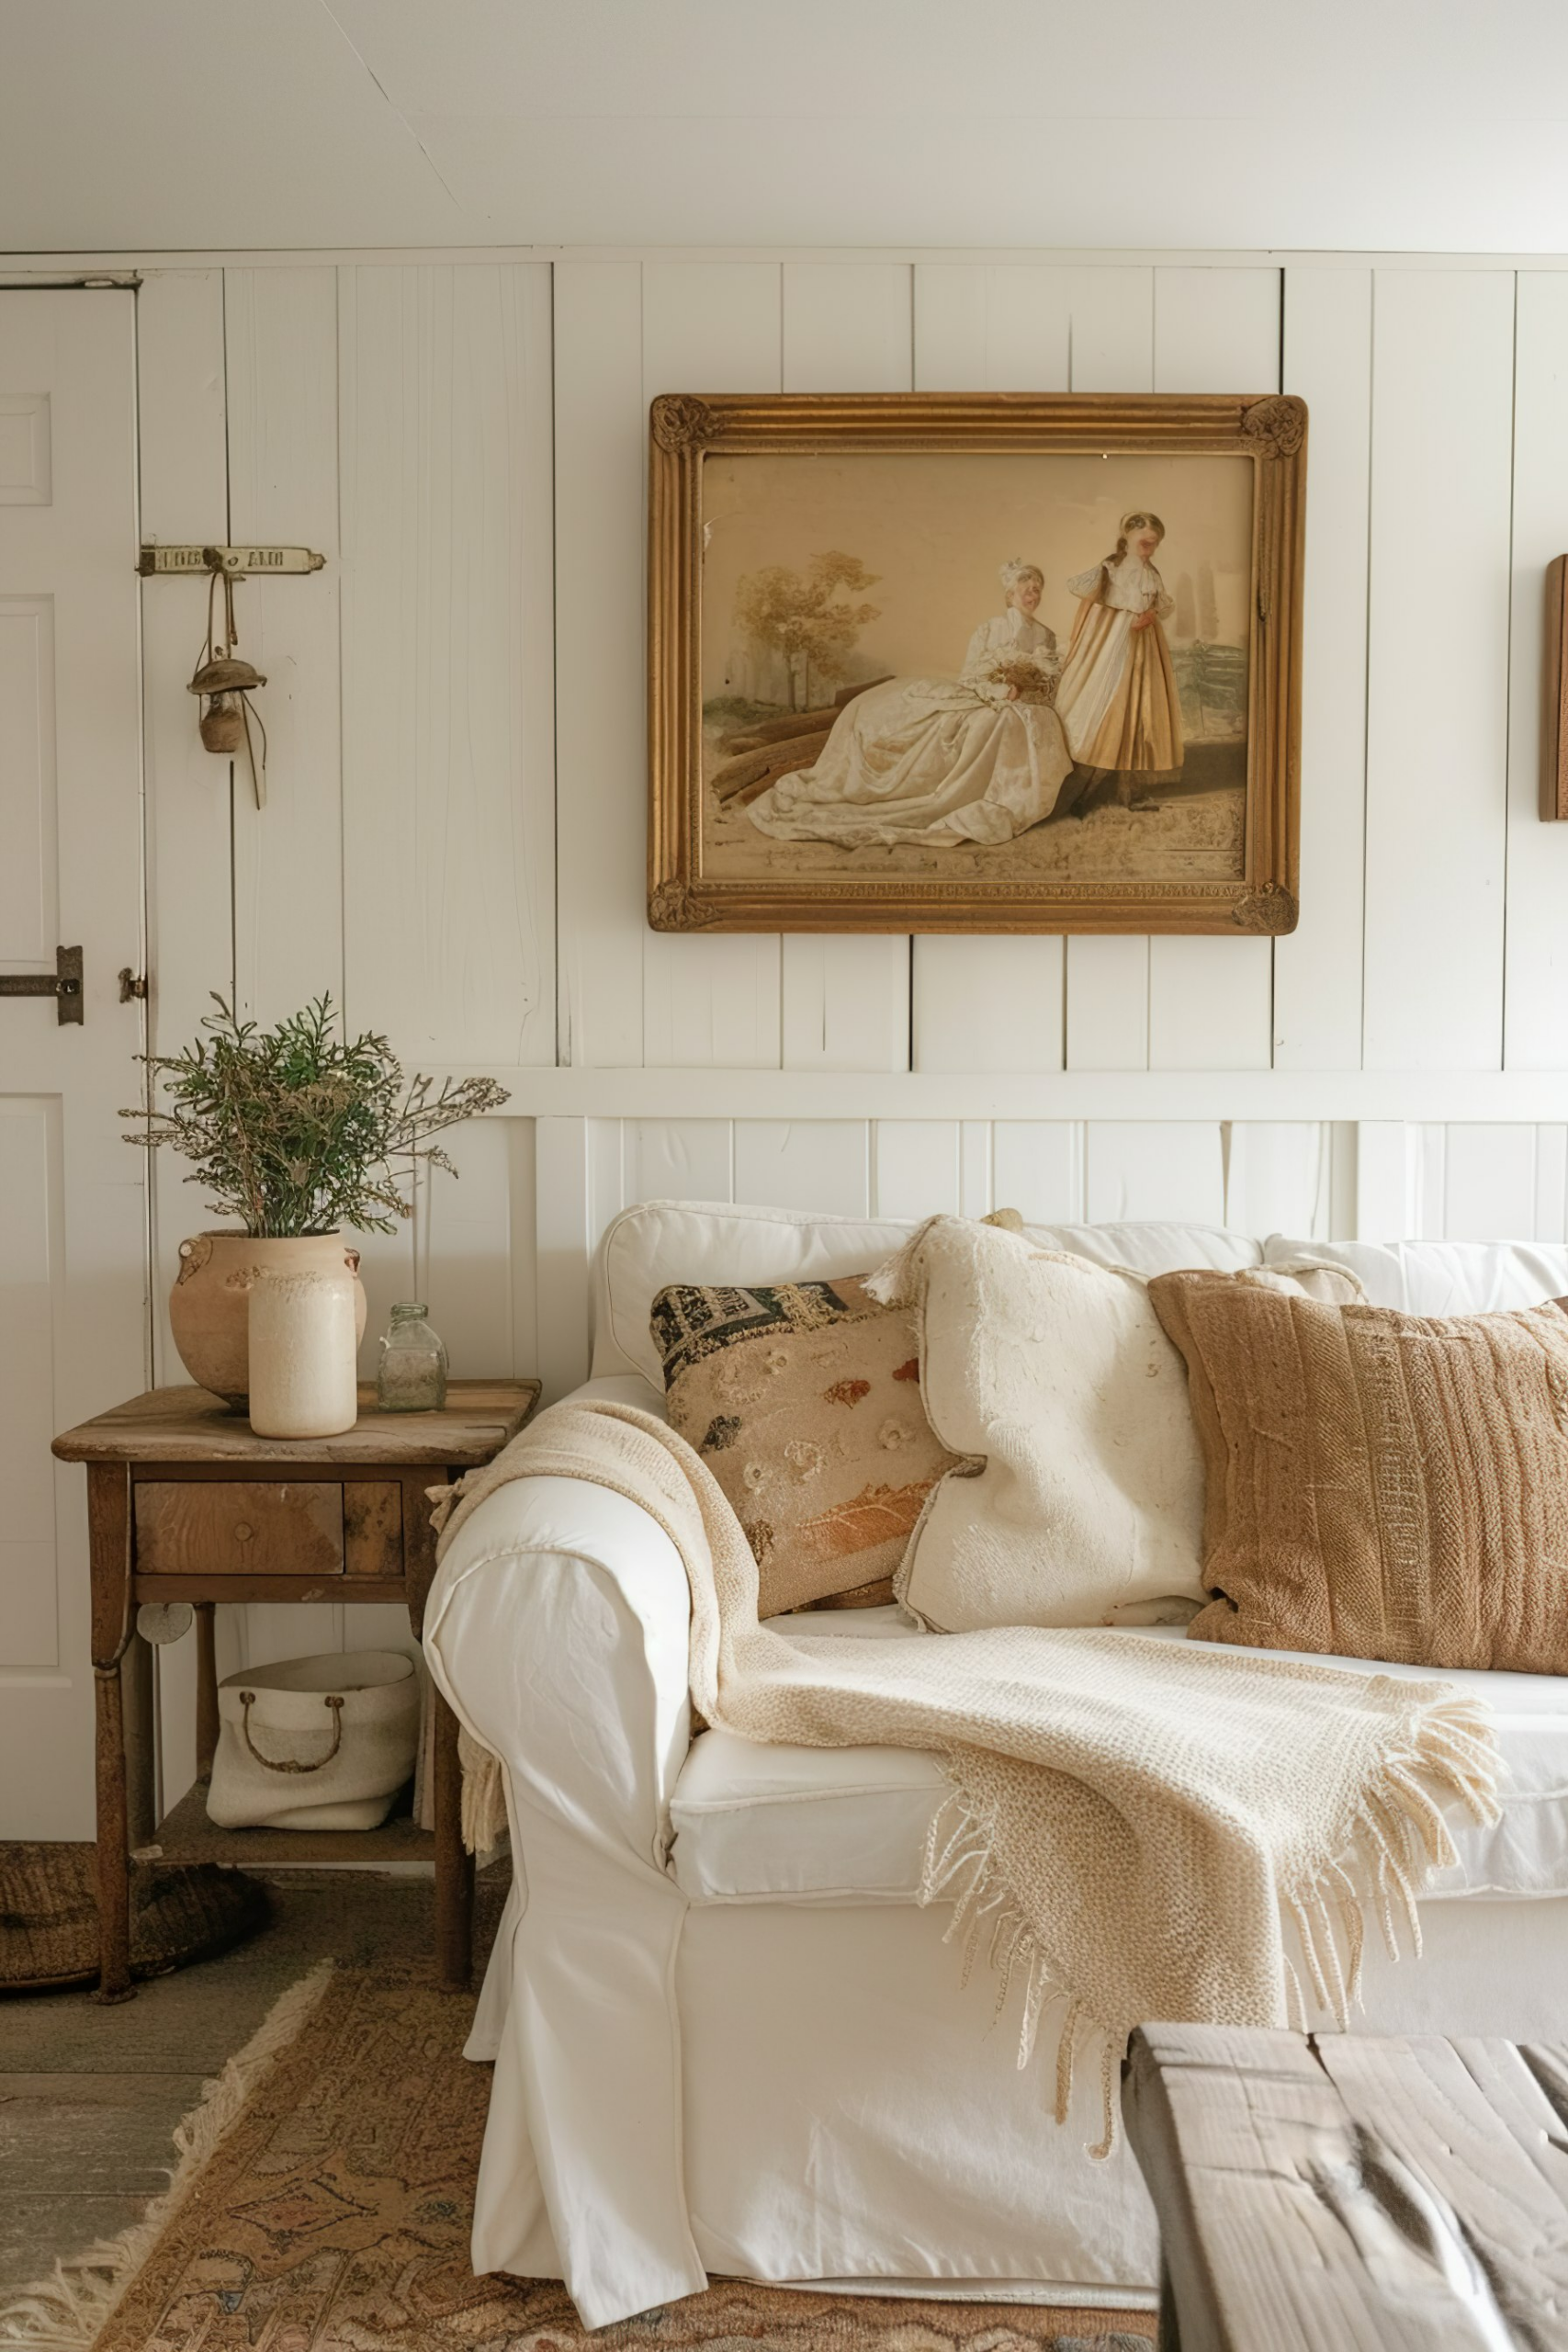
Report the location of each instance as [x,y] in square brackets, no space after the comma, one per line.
[140,126]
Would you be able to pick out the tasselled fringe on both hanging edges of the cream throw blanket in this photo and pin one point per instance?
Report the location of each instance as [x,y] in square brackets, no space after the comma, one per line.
[1393,1845]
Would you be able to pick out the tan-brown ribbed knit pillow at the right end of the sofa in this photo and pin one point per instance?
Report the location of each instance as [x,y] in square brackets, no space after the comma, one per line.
[1379,1485]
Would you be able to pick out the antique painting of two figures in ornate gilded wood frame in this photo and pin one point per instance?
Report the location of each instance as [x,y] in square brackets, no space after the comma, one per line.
[974,662]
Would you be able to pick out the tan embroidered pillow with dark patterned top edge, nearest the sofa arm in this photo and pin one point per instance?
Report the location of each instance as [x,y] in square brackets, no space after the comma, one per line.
[805,1405]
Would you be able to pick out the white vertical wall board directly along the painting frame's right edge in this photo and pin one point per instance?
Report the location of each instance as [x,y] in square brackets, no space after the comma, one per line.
[1318,970]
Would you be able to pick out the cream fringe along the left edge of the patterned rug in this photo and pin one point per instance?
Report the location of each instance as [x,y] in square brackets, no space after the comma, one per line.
[69,2311]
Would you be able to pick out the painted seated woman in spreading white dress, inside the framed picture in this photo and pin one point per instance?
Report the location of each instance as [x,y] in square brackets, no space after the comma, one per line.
[972,759]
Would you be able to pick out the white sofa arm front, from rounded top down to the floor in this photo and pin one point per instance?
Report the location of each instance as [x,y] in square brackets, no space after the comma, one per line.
[558,1633]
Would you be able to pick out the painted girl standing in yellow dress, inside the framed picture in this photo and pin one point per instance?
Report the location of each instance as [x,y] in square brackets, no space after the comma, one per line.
[1118,695]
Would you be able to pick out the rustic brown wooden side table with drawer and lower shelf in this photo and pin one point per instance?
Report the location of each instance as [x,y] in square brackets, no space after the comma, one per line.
[185,1502]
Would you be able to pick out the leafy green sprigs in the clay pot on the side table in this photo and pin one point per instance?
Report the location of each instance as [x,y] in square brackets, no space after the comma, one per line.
[297,1130]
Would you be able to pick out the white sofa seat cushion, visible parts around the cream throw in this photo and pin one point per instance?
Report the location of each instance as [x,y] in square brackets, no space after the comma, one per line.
[850,1824]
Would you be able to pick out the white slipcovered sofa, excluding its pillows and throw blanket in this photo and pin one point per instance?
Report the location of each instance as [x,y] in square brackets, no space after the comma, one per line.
[728,2038]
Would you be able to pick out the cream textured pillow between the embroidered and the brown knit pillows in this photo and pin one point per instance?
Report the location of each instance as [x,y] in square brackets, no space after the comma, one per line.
[1085,1495]
